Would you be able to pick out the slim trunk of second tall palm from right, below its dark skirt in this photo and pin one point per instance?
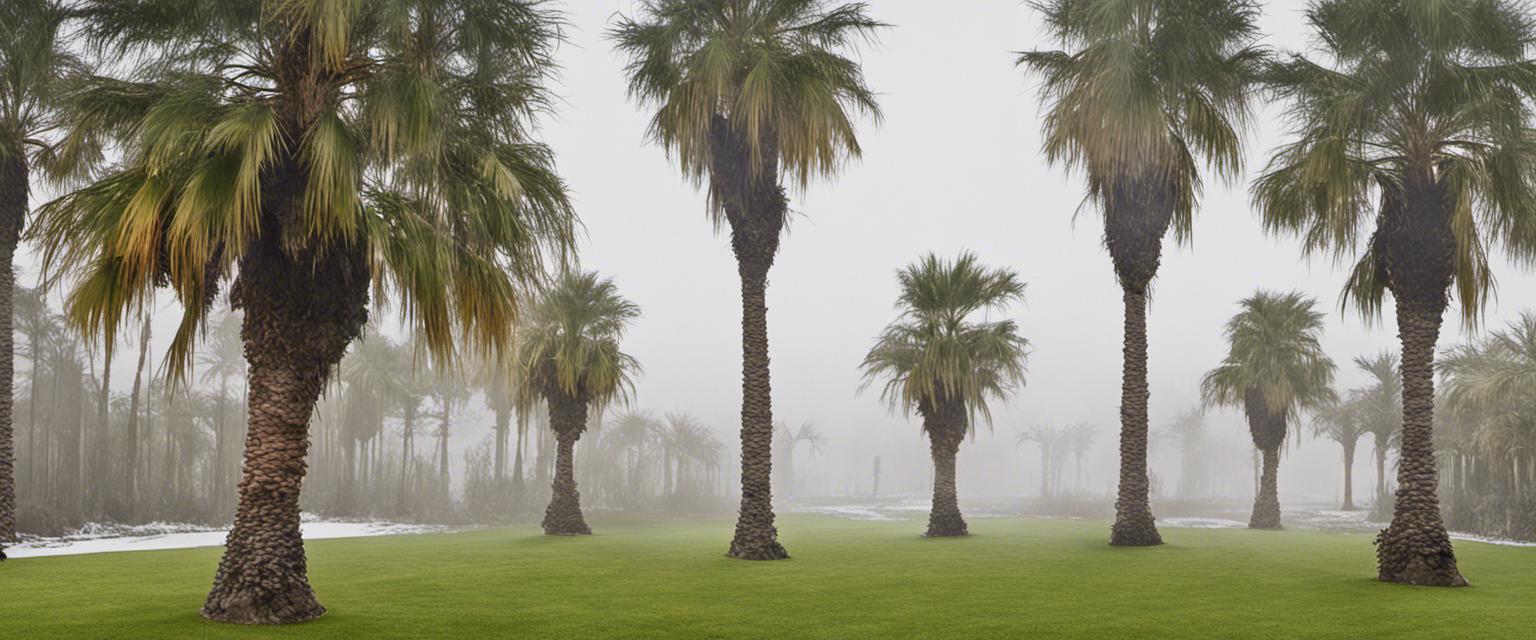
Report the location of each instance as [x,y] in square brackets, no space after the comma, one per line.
[1134,523]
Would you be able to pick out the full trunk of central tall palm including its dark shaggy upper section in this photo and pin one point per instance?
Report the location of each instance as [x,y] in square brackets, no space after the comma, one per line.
[755,206]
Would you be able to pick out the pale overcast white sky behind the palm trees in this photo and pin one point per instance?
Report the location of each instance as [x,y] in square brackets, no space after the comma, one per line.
[953,168]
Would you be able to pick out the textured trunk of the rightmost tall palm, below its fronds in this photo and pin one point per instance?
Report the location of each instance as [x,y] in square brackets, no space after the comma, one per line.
[1415,549]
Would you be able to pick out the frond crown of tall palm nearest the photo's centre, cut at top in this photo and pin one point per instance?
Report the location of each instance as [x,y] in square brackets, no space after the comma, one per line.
[775,71]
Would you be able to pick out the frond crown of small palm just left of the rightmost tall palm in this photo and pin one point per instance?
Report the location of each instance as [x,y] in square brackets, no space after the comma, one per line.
[1274,351]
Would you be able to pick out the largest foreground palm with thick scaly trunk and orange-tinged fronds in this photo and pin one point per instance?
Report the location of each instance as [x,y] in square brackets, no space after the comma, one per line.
[302,153]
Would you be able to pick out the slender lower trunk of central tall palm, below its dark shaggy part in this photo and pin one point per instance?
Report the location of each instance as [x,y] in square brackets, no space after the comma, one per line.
[756,536]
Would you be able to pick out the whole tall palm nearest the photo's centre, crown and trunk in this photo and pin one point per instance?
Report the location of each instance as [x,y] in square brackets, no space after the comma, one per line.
[749,93]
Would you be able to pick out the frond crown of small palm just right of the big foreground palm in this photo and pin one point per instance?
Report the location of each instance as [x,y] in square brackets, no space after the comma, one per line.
[571,343]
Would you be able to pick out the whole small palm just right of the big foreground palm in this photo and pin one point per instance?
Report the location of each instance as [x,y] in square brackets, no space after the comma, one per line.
[571,358]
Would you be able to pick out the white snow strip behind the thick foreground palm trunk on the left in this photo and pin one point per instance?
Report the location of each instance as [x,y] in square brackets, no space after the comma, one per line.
[108,538]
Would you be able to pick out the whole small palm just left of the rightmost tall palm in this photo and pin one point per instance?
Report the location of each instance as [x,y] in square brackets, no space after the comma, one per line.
[1274,369]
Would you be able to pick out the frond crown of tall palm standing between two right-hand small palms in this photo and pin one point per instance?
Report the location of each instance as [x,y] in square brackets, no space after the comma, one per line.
[1147,91]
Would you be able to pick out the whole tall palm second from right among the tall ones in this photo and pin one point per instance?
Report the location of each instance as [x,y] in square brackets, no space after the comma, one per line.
[1150,90]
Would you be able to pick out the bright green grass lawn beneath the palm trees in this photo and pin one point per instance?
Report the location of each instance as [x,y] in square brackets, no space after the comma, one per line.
[1013,578]
